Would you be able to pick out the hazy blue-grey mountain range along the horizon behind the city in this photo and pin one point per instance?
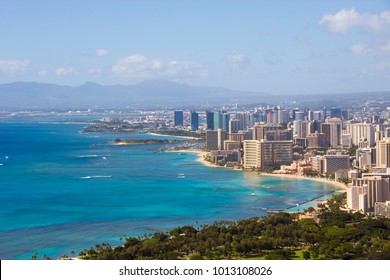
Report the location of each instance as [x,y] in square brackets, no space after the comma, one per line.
[150,93]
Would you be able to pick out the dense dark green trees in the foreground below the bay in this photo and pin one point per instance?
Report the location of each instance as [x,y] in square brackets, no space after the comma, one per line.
[335,234]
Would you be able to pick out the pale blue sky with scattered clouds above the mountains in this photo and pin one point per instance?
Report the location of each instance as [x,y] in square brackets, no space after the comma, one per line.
[276,47]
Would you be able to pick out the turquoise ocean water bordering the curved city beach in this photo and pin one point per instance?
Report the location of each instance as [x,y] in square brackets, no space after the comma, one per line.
[62,190]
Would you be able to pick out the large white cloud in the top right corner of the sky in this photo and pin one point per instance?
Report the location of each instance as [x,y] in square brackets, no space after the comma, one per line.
[343,20]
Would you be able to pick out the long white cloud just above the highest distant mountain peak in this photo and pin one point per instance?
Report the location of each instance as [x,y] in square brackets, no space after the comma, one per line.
[141,67]
